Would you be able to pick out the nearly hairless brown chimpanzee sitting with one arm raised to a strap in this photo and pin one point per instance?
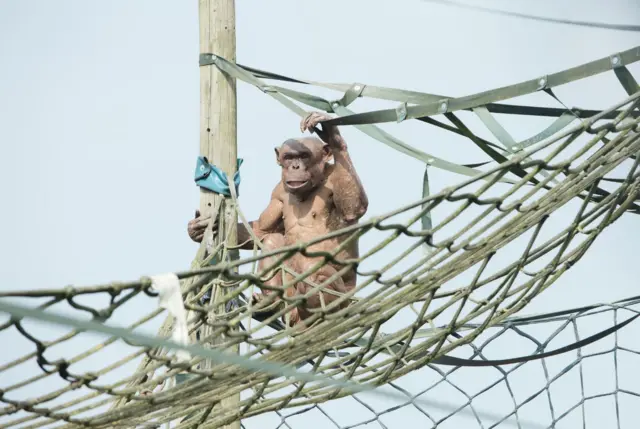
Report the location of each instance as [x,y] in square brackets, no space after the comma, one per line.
[313,198]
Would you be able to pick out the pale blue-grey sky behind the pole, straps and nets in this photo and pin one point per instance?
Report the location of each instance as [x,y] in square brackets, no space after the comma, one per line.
[99,117]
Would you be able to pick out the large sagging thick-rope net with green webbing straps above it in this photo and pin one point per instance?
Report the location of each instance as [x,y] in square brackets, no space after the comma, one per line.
[434,279]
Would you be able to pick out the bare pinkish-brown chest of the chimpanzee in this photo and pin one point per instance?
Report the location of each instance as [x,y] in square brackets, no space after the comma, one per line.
[312,211]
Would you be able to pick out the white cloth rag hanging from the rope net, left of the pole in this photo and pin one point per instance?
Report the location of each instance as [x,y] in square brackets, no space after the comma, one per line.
[168,286]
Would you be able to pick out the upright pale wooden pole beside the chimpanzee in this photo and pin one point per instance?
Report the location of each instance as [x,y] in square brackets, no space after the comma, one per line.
[218,131]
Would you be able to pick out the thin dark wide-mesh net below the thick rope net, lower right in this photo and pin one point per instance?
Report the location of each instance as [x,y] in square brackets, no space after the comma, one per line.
[593,386]
